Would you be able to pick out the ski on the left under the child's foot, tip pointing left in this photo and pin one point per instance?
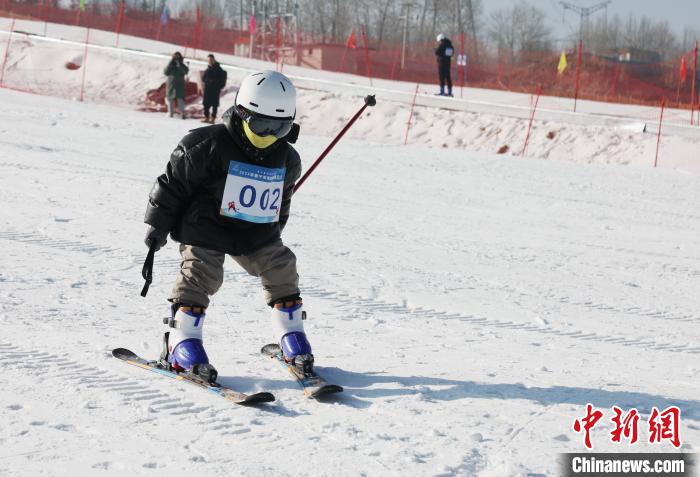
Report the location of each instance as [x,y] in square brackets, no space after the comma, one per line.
[225,392]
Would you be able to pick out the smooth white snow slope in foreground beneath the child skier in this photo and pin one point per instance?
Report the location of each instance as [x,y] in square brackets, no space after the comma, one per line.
[470,304]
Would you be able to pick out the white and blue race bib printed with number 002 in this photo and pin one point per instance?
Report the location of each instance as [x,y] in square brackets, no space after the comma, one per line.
[253,193]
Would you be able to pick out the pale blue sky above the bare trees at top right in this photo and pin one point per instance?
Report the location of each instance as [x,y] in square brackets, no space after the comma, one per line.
[678,13]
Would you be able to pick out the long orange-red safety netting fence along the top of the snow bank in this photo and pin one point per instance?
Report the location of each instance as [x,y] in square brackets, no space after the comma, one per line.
[600,78]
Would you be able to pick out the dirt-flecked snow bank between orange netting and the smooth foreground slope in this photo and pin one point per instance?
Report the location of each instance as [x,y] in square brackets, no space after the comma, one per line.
[475,120]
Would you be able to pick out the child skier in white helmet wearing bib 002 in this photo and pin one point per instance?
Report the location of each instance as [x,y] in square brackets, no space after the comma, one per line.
[227,190]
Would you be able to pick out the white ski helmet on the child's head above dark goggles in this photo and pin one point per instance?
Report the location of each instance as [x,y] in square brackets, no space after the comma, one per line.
[268,93]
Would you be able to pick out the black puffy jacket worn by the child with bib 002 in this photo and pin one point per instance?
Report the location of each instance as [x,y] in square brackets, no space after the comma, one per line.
[187,199]
